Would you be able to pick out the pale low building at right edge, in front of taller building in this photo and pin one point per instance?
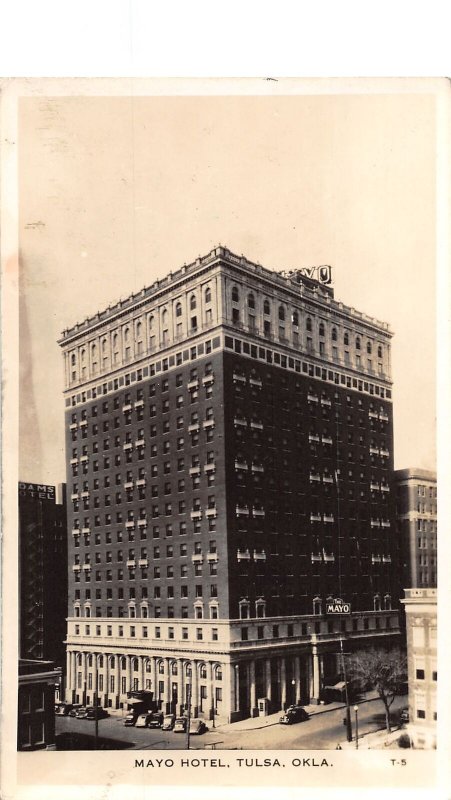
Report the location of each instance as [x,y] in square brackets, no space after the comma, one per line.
[421,625]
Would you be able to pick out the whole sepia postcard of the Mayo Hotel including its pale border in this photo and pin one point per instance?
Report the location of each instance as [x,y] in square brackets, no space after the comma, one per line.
[227,471]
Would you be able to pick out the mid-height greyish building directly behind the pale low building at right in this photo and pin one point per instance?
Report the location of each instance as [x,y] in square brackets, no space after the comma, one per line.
[416,510]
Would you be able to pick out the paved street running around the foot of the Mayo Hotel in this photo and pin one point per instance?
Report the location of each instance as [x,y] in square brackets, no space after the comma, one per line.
[322,731]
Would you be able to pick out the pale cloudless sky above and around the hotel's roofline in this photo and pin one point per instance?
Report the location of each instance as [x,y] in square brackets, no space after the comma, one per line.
[116,191]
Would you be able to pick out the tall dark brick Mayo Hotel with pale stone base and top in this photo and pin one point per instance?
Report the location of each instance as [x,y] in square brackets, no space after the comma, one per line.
[230,470]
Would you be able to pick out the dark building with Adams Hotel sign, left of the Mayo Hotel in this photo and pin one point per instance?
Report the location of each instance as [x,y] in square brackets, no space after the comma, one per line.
[42,572]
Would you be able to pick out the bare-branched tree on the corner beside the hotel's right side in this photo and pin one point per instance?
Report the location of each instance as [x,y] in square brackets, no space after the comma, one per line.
[382,670]
